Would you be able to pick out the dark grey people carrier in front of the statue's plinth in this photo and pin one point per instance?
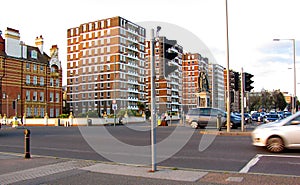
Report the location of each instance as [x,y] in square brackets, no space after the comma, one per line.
[201,117]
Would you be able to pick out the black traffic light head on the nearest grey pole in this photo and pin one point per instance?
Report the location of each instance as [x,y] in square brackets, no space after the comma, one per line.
[169,56]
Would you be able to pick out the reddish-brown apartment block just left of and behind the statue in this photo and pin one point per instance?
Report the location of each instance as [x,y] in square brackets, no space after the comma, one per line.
[193,64]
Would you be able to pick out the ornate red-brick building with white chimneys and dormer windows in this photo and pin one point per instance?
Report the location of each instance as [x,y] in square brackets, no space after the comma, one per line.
[30,80]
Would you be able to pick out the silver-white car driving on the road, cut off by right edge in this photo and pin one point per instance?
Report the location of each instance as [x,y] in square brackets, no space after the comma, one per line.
[276,136]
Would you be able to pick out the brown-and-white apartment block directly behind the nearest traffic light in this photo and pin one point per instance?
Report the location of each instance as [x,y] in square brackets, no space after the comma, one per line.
[168,89]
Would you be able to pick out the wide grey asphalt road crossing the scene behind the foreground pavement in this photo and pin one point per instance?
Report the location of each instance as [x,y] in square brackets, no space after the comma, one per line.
[189,148]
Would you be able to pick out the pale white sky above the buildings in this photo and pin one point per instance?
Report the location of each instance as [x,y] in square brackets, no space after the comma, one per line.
[252,26]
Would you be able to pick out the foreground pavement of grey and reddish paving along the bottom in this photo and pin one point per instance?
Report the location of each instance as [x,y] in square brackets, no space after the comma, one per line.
[15,169]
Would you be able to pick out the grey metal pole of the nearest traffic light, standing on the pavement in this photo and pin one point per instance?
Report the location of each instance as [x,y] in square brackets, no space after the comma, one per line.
[153,102]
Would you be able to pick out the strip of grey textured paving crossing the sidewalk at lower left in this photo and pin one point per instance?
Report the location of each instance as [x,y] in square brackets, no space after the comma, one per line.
[13,177]
